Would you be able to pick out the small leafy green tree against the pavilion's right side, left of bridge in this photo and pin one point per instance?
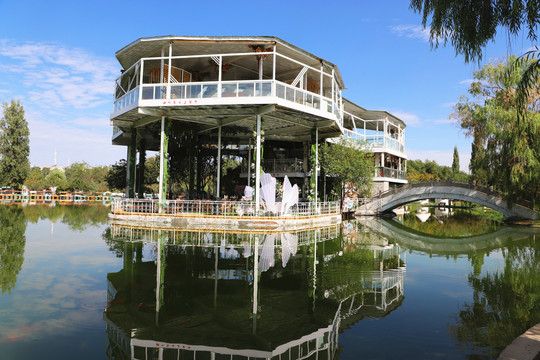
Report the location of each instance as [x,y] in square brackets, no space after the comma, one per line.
[348,163]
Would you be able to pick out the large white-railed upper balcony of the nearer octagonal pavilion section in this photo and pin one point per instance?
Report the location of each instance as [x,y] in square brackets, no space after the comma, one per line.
[233,79]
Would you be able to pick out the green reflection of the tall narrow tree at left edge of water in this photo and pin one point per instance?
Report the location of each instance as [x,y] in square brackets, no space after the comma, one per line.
[12,243]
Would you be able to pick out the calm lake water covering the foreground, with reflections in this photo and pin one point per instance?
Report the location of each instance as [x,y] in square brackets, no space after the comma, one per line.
[75,287]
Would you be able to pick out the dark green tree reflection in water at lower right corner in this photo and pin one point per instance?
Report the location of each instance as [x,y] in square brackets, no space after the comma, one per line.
[506,302]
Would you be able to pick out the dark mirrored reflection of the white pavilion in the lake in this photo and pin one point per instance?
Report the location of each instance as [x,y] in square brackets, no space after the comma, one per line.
[221,295]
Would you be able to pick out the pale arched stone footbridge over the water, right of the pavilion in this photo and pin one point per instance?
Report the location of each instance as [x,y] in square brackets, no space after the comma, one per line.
[444,190]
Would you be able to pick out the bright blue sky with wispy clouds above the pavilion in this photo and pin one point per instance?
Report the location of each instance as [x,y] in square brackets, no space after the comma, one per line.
[57,57]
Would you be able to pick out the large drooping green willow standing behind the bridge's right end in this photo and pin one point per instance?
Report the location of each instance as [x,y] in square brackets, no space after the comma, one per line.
[506,150]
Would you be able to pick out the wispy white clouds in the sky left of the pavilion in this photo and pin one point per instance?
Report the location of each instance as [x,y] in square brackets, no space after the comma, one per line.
[66,94]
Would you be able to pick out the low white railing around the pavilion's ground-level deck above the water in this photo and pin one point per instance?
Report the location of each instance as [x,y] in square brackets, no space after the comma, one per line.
[222,209]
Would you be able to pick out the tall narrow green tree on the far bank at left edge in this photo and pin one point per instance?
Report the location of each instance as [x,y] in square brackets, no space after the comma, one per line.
[14,145]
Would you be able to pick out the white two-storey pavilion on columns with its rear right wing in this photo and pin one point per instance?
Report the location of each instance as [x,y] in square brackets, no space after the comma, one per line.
[233,96]
